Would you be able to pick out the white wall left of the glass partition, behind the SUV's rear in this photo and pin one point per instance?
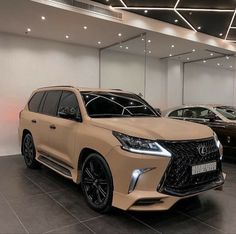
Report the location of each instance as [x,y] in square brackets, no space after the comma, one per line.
[27,64]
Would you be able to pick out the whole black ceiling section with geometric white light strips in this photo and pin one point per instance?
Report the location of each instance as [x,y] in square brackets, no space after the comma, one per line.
[213,17]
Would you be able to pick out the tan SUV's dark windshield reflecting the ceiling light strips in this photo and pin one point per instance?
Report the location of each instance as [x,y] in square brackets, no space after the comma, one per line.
[114,104]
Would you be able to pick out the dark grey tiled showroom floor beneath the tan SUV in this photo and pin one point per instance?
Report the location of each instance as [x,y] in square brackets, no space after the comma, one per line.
[40,201]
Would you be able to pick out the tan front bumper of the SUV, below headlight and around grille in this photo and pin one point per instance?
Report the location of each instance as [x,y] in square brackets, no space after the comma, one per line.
[146,195]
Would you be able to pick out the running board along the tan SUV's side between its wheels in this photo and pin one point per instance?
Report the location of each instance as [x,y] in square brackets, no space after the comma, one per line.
[55,165]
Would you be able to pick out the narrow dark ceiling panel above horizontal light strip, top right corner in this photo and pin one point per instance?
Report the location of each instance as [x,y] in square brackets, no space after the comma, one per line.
[216,4]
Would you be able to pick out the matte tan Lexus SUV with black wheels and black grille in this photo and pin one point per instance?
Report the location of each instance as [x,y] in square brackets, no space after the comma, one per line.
[119,148]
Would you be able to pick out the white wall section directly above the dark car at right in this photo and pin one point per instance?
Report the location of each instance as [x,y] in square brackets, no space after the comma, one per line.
[208,85]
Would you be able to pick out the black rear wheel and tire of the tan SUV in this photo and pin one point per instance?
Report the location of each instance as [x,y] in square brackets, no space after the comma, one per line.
[29,152]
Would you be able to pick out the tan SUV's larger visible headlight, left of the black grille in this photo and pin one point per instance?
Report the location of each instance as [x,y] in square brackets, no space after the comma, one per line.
[141,146]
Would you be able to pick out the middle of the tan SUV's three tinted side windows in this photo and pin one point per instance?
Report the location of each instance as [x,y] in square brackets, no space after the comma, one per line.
[51,102]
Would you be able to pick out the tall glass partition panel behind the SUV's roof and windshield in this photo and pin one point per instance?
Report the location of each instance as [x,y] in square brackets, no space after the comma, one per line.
[123,65]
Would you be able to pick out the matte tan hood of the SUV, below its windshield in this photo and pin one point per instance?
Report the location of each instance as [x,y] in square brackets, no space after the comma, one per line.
[155,128]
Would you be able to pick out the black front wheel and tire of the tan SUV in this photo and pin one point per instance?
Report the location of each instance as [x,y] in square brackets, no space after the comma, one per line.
[96,183]
